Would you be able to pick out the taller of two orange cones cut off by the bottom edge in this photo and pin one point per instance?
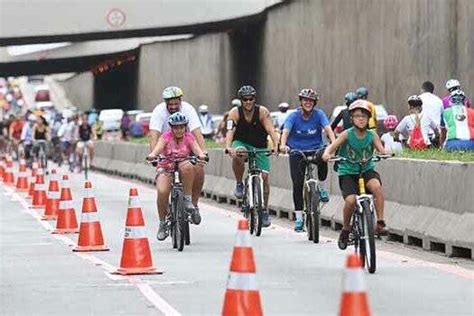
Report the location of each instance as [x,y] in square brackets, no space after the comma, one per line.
[242,296]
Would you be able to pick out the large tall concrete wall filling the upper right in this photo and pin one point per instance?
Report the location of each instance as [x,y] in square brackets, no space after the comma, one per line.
[390,46]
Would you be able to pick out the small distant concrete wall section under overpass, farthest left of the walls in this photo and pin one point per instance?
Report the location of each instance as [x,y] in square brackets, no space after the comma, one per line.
[80,90]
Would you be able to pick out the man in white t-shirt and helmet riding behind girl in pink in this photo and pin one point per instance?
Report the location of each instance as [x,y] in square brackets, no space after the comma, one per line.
[173,103]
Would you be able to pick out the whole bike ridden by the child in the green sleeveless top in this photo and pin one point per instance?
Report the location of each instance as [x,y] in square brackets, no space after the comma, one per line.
[362,234]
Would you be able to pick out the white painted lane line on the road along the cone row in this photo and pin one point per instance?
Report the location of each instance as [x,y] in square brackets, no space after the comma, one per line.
[141,285]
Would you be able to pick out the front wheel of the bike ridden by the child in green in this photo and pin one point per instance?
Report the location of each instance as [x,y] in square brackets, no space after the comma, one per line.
[367,242]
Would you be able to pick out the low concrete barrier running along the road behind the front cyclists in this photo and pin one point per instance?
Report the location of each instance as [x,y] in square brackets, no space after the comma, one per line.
[429,203]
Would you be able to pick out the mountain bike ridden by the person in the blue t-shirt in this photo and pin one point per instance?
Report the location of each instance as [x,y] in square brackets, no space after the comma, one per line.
[313,204]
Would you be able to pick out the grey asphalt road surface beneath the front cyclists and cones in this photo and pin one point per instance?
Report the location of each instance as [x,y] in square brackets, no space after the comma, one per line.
[40,275]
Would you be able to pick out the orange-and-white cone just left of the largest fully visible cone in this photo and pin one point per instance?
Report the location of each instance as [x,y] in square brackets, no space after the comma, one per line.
[90,232]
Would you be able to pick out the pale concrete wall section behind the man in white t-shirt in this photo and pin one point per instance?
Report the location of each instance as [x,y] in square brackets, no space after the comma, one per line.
[200,66]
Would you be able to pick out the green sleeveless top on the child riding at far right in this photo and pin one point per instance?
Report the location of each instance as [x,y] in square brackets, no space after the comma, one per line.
[356,149]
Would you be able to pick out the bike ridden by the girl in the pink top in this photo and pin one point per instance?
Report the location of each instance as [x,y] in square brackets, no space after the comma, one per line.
[177,221]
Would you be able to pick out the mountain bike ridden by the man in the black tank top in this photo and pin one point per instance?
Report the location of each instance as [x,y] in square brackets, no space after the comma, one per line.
[252,200]
